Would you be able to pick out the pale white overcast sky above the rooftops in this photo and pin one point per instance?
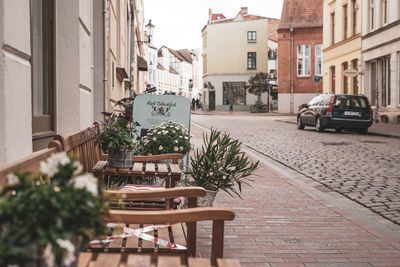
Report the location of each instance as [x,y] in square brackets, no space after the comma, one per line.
[178,23]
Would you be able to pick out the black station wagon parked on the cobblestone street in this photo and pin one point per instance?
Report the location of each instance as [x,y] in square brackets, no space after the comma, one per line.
[339,112]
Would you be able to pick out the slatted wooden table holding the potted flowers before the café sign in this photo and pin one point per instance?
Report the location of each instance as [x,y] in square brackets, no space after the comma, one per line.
[170,172]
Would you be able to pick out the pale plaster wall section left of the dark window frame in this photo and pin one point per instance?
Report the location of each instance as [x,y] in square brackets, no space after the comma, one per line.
[15,81]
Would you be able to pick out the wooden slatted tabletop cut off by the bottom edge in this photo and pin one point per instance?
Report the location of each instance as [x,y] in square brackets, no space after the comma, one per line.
[87,259]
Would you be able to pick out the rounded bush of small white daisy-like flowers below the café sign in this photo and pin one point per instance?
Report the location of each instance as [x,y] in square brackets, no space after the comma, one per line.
[167,137]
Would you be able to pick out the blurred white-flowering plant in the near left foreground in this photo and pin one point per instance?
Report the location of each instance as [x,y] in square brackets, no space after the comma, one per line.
[46,223]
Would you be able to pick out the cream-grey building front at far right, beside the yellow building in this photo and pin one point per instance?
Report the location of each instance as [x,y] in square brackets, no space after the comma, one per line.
[381,57]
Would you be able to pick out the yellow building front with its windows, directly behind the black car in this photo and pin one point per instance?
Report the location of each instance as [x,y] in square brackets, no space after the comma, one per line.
[342,47]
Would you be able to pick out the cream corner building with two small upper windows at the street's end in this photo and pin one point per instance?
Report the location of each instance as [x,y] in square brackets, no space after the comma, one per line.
[233,50]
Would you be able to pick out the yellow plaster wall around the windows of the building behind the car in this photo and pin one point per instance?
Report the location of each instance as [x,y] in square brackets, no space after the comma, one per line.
[345,48]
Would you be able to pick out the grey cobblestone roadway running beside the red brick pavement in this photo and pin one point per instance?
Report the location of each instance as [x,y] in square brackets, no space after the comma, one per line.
[363,168]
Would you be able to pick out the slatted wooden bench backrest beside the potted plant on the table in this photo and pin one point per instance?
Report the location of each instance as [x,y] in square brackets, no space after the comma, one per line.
[82,145]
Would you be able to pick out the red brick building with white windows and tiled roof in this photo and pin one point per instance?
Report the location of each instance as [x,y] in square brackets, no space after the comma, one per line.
[299,53]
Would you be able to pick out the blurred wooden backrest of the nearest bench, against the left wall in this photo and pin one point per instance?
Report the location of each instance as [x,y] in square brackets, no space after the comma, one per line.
[29,164]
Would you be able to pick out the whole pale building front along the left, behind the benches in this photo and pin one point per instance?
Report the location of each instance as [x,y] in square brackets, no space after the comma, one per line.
[57,78]
